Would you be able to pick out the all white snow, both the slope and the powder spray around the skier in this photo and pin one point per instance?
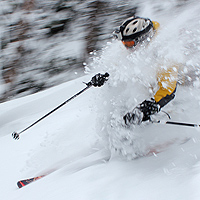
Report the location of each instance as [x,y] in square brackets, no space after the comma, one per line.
[74,145]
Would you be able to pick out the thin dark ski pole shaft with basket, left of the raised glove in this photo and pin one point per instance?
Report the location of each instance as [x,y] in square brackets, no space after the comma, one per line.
[16,135]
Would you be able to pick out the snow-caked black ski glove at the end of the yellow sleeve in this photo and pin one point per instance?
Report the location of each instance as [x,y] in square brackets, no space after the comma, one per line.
[142,112]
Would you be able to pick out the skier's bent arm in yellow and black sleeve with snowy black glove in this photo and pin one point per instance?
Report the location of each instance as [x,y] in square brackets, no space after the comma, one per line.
[167,80]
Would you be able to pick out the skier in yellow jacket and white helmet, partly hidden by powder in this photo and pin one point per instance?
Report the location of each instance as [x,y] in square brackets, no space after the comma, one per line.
[135,32]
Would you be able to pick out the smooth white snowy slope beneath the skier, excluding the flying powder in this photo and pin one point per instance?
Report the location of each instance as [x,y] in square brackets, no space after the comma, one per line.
[67,142]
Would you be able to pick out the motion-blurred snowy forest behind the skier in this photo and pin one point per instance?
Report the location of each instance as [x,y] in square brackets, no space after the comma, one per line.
[45,43]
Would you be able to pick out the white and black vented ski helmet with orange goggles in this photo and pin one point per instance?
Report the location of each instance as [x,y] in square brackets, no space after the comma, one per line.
[134,30]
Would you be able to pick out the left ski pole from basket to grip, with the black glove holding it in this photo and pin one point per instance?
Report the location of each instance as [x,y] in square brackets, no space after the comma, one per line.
[89,84]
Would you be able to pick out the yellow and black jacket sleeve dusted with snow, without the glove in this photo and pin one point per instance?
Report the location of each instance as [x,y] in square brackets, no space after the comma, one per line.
[167,81]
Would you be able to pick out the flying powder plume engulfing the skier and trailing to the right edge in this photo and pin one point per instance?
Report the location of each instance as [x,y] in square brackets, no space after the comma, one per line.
[133,79]
